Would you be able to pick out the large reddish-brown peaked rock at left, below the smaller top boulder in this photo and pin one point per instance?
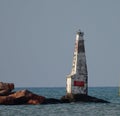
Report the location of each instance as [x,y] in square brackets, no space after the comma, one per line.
[21,97]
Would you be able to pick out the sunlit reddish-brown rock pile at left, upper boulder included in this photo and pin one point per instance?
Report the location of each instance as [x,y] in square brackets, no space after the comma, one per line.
[7,97]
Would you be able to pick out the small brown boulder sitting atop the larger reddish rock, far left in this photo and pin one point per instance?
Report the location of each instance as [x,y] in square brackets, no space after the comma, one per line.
[6,88]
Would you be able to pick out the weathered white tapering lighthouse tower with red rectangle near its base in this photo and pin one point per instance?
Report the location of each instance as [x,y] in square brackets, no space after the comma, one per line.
[77,81]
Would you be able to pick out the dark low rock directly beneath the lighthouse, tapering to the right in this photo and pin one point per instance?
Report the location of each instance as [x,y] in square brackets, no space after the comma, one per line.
[81,98]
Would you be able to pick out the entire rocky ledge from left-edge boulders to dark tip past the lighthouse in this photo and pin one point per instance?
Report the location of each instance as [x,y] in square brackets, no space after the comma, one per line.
[7,97]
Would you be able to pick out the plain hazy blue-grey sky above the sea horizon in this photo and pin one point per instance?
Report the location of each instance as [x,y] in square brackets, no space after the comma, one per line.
[37,41]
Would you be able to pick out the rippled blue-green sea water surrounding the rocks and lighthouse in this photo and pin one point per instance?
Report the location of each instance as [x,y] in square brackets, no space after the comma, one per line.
[72,109]
